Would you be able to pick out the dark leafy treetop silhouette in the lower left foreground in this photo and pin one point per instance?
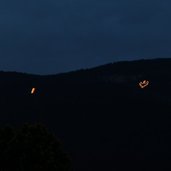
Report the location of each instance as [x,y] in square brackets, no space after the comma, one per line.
[32,147]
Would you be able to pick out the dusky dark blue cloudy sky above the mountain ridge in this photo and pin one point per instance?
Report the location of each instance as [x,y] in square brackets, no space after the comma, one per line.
[52,36]
